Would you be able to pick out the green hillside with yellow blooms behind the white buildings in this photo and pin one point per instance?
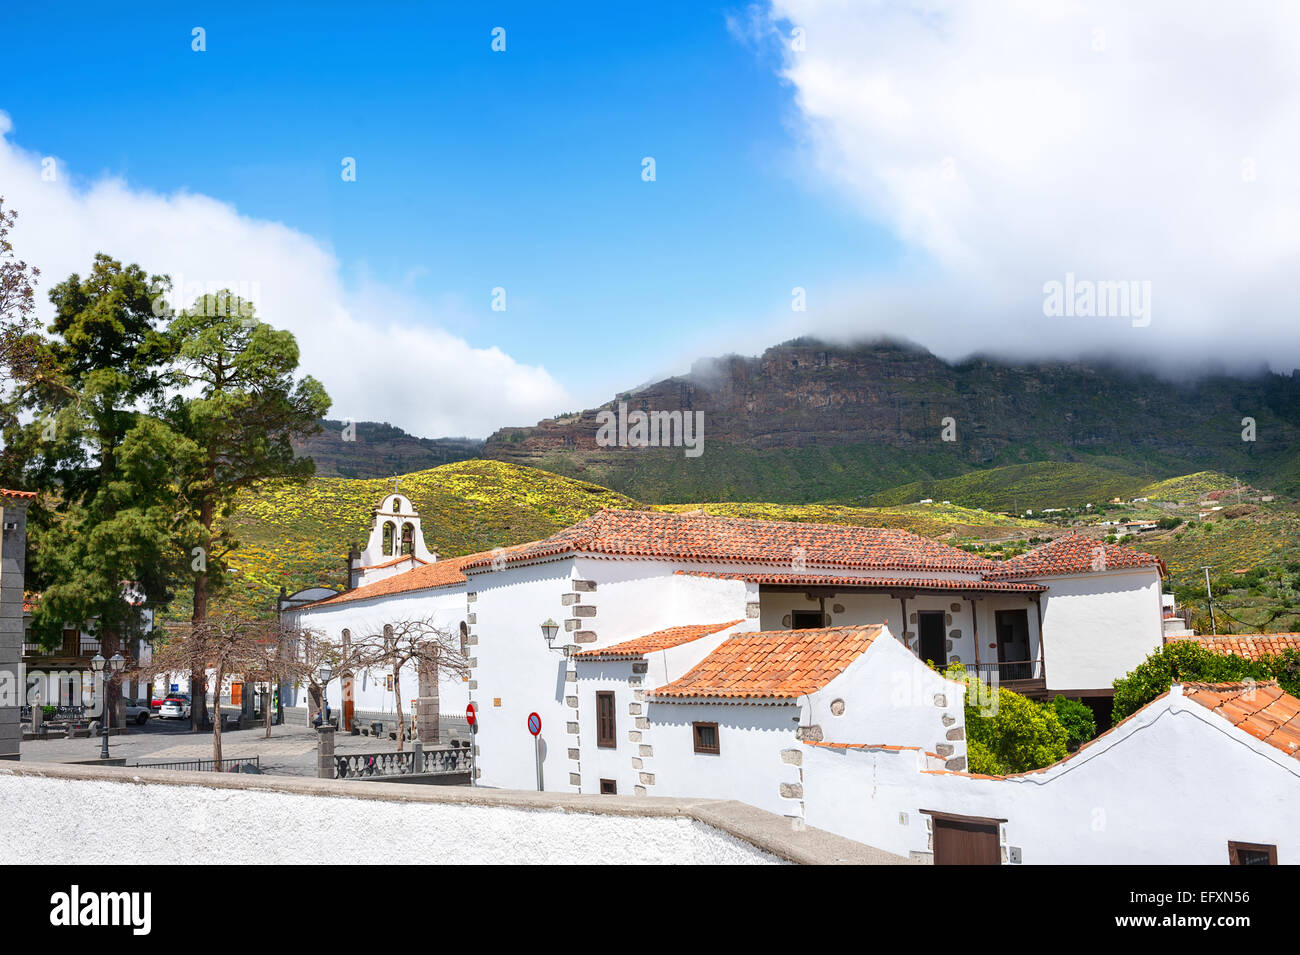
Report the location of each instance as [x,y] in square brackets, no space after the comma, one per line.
[296,536]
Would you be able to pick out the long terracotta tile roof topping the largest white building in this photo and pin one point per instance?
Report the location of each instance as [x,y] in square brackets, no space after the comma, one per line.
[775,544]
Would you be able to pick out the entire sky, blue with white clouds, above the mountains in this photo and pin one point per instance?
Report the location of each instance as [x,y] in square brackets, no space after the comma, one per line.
[922,170]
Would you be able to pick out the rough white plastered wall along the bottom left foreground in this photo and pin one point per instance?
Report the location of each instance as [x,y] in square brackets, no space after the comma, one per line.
[63,822]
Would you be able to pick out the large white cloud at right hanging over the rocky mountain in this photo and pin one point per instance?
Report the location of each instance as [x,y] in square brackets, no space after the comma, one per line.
[1011,144]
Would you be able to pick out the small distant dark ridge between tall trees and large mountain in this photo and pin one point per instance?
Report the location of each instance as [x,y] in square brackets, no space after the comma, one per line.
[374,450]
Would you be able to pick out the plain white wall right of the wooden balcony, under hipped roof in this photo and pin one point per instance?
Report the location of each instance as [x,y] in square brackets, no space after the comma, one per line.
[1098,627]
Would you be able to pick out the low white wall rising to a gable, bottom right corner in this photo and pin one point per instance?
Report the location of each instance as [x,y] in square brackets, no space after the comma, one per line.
[1173,785]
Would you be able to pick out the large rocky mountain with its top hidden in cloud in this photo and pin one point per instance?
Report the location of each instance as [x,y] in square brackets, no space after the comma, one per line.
[809,422]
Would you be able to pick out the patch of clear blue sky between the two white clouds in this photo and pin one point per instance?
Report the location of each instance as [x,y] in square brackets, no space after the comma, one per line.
[475,170]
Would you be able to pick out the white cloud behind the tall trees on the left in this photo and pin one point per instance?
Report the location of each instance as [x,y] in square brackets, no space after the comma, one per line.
[379,351]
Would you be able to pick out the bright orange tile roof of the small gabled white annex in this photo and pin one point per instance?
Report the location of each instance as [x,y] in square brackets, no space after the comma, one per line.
[773,665]
